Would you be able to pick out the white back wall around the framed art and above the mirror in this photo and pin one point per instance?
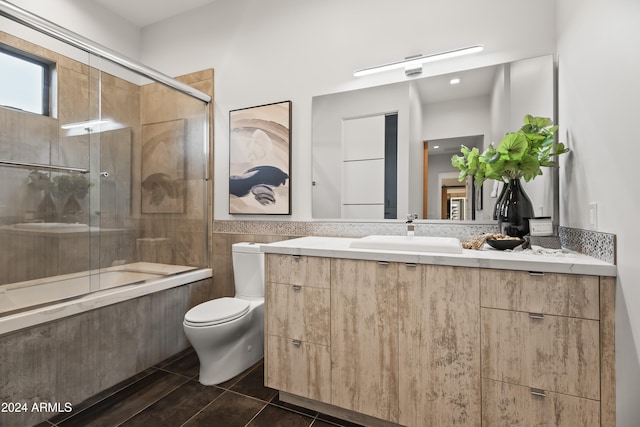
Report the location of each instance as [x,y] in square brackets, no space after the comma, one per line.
[288,49]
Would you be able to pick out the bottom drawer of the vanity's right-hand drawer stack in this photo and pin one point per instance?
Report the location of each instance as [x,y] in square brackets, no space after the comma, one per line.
[511,405]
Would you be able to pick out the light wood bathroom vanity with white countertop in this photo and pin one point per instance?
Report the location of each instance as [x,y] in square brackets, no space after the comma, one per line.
[385,338]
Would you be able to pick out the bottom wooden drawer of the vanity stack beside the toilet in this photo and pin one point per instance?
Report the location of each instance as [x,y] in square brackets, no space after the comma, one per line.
[299,368]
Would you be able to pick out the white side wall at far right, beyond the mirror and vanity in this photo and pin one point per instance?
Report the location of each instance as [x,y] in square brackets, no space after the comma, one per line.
[599,101]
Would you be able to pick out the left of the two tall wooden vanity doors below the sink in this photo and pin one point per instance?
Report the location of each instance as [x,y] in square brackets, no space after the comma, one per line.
[364,337]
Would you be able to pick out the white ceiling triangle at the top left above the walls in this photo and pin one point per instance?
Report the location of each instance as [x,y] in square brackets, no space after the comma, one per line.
[146,12]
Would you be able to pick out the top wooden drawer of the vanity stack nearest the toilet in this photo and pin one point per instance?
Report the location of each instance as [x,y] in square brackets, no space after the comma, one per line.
[298,270]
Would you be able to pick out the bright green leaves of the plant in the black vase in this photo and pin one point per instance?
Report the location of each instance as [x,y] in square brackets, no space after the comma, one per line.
[520,154]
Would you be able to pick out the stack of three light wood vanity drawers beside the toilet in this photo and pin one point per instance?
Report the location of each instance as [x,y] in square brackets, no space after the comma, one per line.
[297,325]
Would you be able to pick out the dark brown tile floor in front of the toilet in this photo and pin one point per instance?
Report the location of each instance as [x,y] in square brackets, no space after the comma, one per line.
[169,394]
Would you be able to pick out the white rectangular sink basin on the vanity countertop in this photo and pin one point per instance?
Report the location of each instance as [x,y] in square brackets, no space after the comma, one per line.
[450,245]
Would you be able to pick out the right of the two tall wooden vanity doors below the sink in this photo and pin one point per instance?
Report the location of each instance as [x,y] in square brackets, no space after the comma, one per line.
[439,345]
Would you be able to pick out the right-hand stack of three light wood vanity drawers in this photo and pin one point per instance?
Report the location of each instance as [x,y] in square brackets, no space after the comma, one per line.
[542,349]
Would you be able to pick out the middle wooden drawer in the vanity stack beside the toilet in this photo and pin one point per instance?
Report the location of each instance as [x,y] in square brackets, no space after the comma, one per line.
[298,312]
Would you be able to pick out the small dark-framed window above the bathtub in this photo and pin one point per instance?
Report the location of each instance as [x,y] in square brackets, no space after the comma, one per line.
[24,82]
